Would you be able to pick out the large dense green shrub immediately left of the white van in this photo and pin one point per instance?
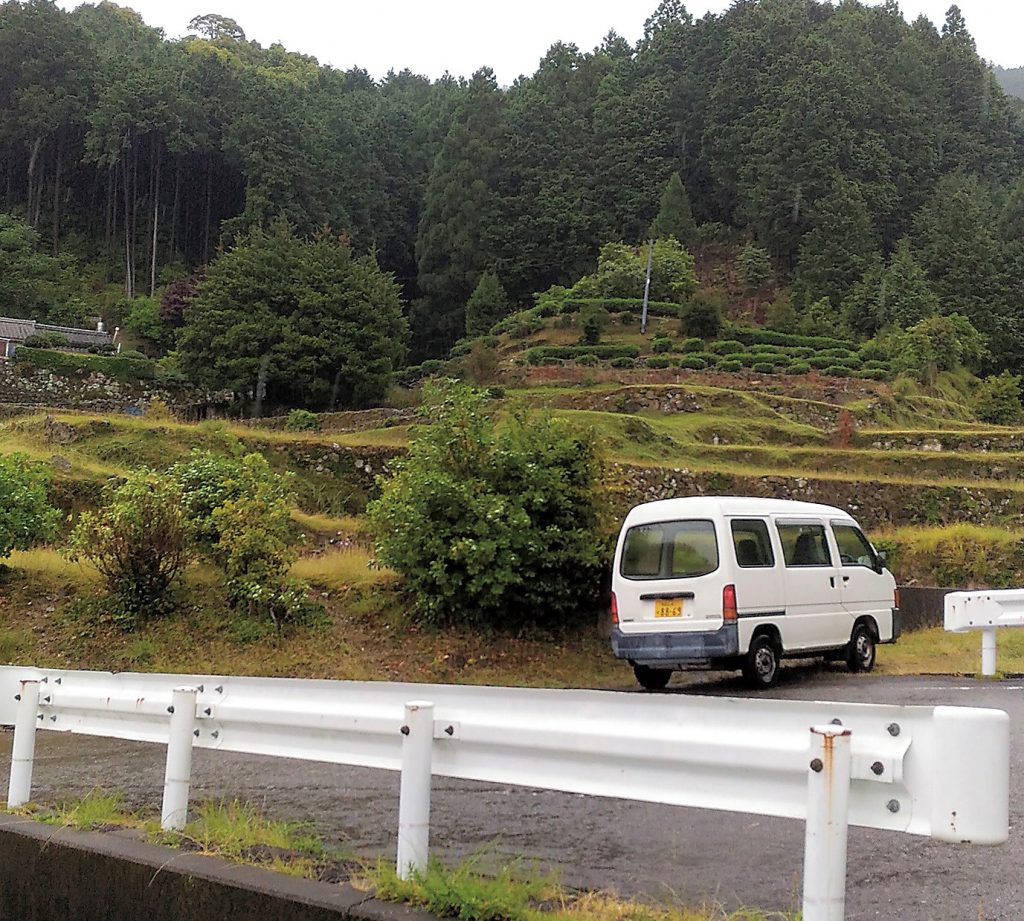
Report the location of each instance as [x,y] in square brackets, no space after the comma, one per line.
[489,526]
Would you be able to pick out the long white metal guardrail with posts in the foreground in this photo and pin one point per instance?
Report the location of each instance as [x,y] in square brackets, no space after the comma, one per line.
[941,772]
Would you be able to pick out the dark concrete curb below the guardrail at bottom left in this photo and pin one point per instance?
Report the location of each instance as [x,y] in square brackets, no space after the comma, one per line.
[50,873]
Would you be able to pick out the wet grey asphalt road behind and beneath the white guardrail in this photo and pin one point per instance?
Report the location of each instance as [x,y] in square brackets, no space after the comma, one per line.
[659,853]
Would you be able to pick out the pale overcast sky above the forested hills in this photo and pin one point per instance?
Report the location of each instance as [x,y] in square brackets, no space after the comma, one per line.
[432,36]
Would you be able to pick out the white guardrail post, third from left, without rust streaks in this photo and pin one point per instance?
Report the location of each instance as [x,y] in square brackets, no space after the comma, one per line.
[414,799]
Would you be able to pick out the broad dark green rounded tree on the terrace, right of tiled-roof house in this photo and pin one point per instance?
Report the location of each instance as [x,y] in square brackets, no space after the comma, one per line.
[297,321]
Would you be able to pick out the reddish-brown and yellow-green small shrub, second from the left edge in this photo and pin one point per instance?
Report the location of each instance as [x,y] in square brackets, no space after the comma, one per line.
[139,541]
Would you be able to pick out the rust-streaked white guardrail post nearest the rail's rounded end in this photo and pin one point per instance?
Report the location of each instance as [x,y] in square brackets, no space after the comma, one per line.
[828,809]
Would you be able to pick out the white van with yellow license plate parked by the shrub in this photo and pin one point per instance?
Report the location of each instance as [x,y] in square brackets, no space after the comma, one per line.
[742,583]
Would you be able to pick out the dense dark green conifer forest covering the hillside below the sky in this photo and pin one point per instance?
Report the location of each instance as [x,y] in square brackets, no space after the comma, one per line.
[843,141]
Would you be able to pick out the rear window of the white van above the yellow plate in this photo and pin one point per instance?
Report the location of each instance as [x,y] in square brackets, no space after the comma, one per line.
[670,551]
